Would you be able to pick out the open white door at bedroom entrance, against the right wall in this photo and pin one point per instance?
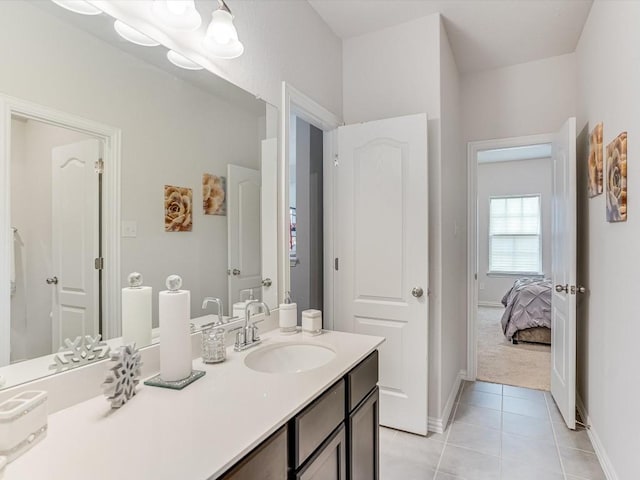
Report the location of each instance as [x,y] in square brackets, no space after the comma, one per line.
[563,269]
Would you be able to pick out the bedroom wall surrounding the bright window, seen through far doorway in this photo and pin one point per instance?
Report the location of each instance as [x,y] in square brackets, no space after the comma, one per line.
[522,177]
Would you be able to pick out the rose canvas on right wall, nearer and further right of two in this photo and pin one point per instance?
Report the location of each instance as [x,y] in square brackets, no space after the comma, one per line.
[617,179]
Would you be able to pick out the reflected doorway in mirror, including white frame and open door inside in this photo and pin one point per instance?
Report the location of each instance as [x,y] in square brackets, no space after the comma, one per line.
[59,221]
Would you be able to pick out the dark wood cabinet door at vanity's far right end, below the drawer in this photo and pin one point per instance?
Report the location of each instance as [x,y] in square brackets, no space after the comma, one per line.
[363,442]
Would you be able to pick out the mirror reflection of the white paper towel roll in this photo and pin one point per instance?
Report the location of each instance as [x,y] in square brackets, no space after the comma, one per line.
[136,315]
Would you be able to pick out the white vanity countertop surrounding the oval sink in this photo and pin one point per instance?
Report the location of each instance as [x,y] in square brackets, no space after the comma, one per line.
[193,434]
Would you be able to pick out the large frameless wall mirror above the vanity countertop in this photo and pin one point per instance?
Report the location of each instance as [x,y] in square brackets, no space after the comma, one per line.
[115,161]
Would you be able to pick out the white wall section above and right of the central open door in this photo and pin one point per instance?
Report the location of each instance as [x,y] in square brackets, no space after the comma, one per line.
[401,70]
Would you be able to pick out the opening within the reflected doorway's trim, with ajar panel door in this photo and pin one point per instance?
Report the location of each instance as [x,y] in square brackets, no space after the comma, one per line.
[55,216]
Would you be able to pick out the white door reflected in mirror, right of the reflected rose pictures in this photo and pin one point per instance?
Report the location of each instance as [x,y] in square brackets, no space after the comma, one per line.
[243,217]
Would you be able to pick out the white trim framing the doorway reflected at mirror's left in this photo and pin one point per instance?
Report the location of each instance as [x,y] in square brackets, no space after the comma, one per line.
[111,138]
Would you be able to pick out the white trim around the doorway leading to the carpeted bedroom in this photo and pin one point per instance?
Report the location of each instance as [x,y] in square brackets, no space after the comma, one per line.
[473,148]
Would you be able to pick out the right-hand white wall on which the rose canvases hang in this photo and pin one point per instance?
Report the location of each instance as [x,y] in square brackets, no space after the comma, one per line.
[608,328]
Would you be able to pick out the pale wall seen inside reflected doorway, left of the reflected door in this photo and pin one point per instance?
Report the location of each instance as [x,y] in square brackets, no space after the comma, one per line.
[31,215]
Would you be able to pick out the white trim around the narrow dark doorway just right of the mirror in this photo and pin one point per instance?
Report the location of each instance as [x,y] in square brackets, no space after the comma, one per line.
[294,102]
